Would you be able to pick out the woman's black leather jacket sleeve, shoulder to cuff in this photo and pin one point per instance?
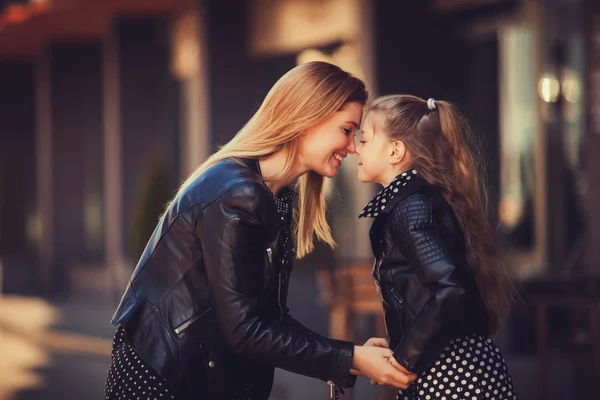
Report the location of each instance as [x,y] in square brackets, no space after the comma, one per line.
[234,247]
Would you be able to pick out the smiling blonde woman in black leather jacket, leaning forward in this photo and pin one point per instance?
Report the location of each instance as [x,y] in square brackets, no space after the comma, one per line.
[205,315]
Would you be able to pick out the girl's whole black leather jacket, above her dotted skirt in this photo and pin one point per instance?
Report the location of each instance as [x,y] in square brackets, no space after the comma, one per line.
[429,292]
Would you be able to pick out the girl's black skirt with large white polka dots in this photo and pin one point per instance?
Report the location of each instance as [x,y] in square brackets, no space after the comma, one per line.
[470,368]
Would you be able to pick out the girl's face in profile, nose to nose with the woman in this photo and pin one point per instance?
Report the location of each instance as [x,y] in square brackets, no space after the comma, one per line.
[374,153]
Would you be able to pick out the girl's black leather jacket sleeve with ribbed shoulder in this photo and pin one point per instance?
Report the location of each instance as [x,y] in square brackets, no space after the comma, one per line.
[416,227]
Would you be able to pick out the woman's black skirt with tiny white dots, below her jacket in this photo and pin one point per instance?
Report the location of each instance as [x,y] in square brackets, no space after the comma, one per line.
[130,378]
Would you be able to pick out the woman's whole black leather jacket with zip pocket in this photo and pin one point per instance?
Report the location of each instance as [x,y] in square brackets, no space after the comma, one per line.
[206,301]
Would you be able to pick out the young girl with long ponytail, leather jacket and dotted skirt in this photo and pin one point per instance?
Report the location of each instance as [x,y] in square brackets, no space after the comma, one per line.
[443,285]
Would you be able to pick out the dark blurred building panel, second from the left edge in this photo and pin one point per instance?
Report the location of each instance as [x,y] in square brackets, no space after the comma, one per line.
[69,131]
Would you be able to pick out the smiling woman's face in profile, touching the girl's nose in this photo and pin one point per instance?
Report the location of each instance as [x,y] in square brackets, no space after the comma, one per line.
[324,146]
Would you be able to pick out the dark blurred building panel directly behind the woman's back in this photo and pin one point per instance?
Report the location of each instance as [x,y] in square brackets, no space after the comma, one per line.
[141,137]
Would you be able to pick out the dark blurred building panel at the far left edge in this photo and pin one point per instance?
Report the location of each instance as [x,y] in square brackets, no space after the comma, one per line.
[17,176]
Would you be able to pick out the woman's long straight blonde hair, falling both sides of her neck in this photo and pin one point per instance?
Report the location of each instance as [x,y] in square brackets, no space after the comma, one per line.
[302,98]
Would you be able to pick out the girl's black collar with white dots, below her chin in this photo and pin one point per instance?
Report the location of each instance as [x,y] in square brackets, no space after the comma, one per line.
[404,184]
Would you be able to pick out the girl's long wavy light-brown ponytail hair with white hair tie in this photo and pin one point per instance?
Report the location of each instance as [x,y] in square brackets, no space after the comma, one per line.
[445,154]
